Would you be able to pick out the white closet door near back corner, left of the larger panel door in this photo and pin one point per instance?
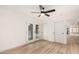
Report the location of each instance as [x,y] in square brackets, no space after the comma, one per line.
[48,32]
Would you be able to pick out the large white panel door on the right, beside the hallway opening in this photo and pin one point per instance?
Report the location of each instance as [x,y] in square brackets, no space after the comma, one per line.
[60,32]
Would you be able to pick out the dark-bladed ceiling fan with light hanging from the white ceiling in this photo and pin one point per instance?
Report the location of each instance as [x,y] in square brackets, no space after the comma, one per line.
[43,11]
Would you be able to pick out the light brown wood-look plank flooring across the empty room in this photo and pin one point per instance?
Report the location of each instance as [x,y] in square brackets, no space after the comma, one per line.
[46,47]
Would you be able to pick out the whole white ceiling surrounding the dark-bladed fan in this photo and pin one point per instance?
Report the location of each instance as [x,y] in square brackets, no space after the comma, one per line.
[69,13]
